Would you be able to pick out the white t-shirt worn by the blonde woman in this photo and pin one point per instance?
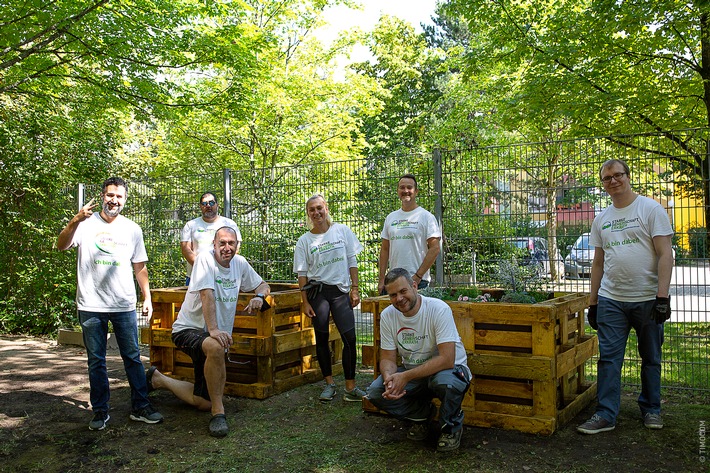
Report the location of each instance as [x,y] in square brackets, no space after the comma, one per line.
[324,256]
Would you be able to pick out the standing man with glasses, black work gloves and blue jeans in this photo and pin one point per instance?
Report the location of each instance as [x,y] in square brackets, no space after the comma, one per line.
[631,274]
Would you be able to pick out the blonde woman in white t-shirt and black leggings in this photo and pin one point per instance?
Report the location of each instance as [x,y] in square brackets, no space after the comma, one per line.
[325,261]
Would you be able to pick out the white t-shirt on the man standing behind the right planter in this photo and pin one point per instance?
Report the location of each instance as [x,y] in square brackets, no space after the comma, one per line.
[408,233]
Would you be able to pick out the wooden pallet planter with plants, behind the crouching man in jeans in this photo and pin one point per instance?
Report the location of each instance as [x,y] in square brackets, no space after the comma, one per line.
[527,361]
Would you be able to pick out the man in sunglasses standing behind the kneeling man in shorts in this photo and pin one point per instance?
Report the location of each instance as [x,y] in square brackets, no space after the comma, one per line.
[197,234]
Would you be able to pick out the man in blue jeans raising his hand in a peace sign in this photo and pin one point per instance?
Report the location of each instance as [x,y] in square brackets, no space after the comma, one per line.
[110,251]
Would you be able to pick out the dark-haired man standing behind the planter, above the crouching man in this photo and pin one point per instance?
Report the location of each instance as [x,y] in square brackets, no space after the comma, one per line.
[410,237]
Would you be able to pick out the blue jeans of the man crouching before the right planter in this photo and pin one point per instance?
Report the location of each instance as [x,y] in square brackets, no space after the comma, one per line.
[415,405]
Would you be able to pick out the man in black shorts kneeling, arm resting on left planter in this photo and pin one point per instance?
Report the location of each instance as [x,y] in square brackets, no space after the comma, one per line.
[203,328]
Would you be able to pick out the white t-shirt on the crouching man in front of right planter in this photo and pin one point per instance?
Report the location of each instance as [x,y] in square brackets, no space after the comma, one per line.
[416,337]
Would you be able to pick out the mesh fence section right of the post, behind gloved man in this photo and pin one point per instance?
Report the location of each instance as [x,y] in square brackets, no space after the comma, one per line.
[551,191]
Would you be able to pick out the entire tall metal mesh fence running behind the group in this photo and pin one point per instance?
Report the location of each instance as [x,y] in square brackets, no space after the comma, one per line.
[533,202]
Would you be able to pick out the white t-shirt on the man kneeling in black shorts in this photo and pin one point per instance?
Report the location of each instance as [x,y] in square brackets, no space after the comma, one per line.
[226,282]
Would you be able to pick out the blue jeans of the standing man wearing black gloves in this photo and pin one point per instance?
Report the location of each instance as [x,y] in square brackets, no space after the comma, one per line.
[615,321]
